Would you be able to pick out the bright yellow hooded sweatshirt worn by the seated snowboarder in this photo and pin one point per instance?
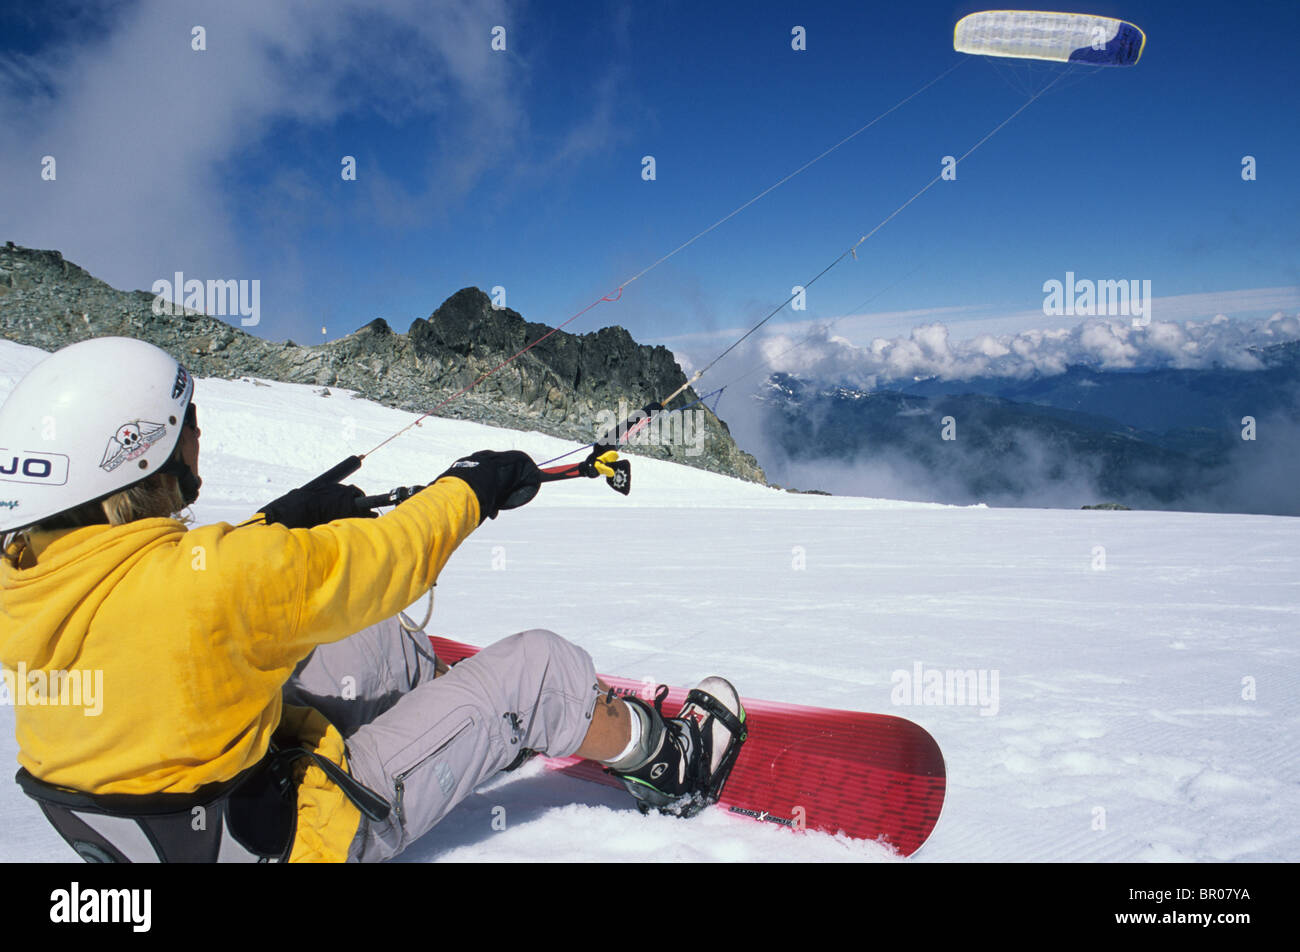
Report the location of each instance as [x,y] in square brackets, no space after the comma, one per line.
[181,642]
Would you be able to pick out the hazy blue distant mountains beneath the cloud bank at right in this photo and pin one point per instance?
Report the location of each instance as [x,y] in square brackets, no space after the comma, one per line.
[1212,440]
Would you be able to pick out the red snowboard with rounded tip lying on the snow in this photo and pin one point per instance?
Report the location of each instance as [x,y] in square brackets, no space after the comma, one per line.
[872,777]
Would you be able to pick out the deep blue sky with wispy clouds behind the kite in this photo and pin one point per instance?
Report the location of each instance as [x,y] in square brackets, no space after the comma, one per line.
[523,168]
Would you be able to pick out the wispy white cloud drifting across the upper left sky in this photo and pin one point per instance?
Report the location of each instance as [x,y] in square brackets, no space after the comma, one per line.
[144,128]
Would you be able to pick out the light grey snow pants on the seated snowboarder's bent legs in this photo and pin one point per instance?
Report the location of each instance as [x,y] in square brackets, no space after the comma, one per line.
[426,745]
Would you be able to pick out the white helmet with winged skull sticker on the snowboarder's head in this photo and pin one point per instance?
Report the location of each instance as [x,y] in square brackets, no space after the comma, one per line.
[90,421]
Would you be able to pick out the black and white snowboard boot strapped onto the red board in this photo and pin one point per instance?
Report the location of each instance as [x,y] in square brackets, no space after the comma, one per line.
[691,755]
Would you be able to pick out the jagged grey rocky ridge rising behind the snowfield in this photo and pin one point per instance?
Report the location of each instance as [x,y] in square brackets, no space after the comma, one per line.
[565,387]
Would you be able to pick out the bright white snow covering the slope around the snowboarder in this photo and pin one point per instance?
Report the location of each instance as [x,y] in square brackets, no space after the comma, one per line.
[1139,669]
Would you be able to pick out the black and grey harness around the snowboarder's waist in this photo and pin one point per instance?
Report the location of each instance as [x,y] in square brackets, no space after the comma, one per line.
[249,819]
